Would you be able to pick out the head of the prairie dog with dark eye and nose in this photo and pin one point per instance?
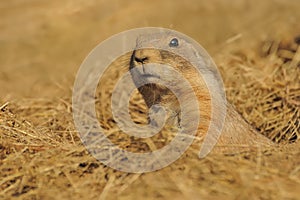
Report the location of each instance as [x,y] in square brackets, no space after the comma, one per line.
[172,50]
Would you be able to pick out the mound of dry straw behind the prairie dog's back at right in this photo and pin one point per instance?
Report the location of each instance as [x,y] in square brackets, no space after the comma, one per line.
[264,85]
